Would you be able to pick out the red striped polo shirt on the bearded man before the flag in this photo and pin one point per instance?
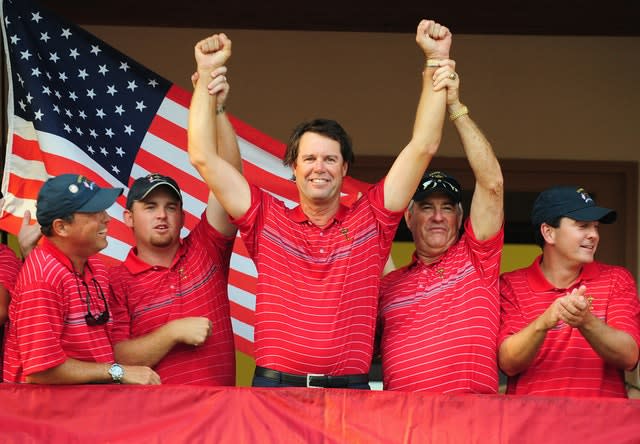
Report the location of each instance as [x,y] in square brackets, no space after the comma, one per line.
[147,297]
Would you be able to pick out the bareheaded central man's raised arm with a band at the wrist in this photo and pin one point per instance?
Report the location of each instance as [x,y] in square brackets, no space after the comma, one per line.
[407,169]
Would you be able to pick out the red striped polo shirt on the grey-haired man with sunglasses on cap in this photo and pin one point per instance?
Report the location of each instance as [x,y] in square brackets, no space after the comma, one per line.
[440,320]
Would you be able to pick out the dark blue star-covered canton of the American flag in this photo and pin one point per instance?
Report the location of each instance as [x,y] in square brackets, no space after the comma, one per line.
[71,84]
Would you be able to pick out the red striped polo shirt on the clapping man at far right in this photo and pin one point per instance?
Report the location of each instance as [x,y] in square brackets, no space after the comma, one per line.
[566,365]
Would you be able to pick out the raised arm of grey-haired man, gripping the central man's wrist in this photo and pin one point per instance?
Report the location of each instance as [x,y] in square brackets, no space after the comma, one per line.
[487,205]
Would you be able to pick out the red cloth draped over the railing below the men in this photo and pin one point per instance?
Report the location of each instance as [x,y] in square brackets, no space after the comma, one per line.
[177,414]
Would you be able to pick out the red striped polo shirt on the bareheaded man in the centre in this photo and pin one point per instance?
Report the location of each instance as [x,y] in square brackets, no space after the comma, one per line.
[317,290]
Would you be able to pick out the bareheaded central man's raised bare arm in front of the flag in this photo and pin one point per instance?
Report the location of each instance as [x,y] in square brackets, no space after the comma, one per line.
[226,182]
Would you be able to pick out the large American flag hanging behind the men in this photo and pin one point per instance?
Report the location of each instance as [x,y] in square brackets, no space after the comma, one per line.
[78,105]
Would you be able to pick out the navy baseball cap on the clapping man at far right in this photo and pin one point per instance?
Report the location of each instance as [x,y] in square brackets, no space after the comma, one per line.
[569,201]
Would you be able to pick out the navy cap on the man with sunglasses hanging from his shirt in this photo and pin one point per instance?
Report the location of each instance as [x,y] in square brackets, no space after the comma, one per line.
[66,194]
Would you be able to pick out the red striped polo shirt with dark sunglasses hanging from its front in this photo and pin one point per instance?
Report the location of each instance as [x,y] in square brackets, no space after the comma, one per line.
[47,314]
